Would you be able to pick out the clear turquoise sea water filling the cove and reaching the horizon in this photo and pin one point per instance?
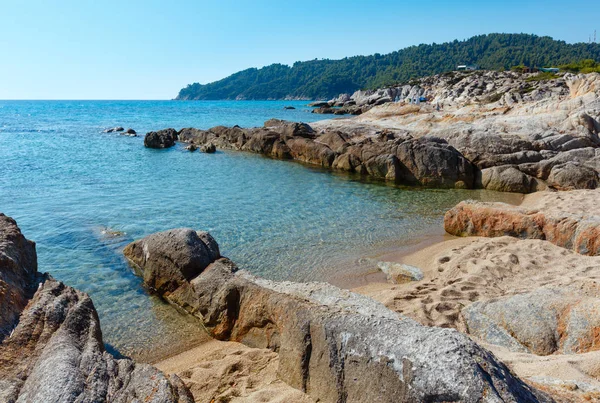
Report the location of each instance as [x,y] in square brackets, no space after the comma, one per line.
[71,188]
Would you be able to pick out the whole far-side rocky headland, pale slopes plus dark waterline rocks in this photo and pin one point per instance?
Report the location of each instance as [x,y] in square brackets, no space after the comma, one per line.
[490,130]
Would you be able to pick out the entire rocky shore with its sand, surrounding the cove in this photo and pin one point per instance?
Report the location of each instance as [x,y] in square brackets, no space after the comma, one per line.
[507,310]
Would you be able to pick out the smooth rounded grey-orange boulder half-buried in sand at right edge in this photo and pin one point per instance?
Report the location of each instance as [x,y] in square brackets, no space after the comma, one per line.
[558,321]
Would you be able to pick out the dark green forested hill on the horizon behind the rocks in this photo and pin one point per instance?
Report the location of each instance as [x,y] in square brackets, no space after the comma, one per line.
[323,79]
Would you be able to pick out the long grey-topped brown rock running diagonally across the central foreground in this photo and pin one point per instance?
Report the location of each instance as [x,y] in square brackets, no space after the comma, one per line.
[329,339]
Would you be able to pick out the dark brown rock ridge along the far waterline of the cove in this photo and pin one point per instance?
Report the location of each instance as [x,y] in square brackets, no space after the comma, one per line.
[427,161]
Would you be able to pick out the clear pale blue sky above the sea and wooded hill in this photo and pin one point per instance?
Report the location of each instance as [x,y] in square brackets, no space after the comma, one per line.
[133,49]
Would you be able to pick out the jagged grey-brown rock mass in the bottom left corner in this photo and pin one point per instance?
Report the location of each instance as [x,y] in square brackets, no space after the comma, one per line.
[54,350]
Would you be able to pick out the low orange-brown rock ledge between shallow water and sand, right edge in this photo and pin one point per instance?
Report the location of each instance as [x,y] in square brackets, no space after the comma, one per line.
[473,218]
